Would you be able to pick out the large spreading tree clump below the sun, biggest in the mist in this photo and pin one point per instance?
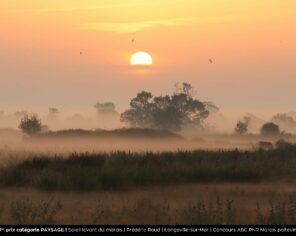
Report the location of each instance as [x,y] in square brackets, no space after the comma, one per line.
[166,112]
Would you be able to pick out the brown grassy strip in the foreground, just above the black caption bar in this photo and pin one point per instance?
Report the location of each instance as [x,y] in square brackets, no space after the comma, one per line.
[219,204]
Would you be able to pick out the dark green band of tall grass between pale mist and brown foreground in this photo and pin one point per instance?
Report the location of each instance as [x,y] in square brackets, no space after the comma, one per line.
[126,170]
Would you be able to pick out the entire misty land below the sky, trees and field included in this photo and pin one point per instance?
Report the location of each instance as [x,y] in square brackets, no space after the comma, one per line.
[107,159]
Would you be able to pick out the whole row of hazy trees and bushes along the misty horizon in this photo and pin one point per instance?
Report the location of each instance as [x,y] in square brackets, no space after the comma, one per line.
[170,112]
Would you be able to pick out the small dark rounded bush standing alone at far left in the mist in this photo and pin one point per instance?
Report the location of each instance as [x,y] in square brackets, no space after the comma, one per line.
[30,124]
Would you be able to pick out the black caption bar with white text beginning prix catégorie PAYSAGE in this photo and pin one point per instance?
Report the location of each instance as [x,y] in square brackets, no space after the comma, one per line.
[147,229]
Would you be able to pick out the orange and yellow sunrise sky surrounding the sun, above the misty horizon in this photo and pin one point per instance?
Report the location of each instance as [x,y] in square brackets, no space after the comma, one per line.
[252,44]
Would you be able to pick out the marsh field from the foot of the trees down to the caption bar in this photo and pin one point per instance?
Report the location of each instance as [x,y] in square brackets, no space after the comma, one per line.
[152,177]
